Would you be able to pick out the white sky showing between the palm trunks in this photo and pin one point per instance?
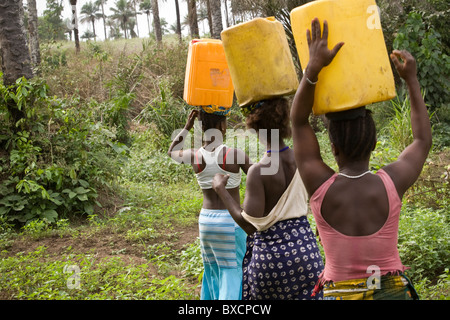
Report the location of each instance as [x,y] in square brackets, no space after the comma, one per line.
[166,10]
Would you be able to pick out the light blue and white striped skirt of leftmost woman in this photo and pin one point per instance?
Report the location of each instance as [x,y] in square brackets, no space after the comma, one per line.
[222,244]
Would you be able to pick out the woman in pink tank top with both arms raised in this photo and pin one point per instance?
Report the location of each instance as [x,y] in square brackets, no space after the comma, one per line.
[357,212]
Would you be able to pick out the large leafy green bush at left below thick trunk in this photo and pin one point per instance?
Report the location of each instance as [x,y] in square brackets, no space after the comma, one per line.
[56,157]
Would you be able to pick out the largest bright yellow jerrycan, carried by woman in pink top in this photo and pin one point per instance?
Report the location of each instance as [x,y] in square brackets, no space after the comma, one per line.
[361,73]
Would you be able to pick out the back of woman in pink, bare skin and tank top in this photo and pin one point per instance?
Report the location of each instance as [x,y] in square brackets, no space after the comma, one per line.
[356,240]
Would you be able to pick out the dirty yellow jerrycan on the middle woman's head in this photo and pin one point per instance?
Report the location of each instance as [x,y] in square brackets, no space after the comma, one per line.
[260,61]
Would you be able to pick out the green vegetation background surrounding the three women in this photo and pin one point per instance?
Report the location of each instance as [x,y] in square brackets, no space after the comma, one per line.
[91,207]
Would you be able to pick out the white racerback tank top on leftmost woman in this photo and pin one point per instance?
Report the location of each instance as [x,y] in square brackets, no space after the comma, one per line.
[212,167]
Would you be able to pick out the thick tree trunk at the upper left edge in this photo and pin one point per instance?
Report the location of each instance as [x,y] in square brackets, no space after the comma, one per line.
[13,46]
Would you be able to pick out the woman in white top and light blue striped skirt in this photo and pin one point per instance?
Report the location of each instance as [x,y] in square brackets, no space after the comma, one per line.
[222,241]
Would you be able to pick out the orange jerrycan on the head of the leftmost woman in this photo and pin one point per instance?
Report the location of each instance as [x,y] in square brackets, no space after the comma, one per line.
[207,79]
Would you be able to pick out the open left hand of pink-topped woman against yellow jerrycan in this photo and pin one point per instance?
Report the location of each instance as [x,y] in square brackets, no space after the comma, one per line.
[319,54]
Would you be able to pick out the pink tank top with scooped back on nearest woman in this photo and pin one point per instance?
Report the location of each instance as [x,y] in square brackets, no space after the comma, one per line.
[356,257]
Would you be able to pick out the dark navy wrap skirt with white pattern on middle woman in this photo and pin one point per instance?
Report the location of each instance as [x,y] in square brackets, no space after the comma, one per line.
[282,263]
